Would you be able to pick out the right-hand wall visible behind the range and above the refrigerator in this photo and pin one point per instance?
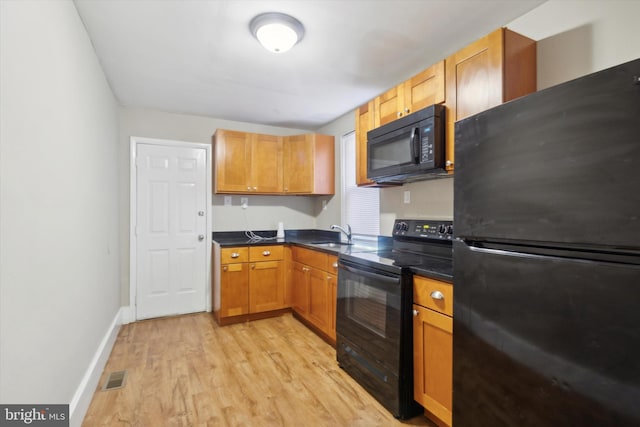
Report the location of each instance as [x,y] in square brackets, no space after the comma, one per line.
[574,38]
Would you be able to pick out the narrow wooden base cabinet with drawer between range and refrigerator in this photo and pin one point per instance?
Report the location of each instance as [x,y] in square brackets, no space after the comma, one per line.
[433,348]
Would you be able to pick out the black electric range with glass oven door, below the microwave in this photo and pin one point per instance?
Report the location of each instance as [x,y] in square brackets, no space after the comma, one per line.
[374,339]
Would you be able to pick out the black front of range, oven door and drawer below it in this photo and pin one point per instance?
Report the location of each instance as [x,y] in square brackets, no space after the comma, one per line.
[369,330]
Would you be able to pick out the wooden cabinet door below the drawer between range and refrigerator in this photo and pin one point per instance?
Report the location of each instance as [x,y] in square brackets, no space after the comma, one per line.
[433,363]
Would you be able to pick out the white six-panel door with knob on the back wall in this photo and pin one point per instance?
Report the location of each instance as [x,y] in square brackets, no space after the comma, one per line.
[171,223]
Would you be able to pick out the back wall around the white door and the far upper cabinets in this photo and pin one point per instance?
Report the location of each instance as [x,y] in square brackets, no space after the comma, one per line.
[263,213]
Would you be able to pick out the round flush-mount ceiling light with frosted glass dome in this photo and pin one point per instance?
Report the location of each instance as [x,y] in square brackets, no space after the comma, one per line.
[277,32]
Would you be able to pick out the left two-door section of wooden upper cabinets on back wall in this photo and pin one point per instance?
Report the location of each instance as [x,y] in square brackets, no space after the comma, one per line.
[247,162]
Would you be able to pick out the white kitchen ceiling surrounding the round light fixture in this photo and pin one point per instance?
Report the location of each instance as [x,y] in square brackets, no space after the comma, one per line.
[198,56]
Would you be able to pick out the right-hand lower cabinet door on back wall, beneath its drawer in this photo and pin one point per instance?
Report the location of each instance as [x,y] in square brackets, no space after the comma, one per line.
[266,286]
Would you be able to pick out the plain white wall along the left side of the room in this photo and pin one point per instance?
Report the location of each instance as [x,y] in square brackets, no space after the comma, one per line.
[58,203]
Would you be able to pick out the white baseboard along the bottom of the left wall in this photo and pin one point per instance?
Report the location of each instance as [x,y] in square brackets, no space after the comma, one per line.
[83,395]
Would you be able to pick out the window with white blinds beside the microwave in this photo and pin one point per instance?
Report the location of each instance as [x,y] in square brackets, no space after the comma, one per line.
[360,205]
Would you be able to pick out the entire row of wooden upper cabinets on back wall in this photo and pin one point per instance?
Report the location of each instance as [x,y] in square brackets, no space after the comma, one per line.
[251,163]
